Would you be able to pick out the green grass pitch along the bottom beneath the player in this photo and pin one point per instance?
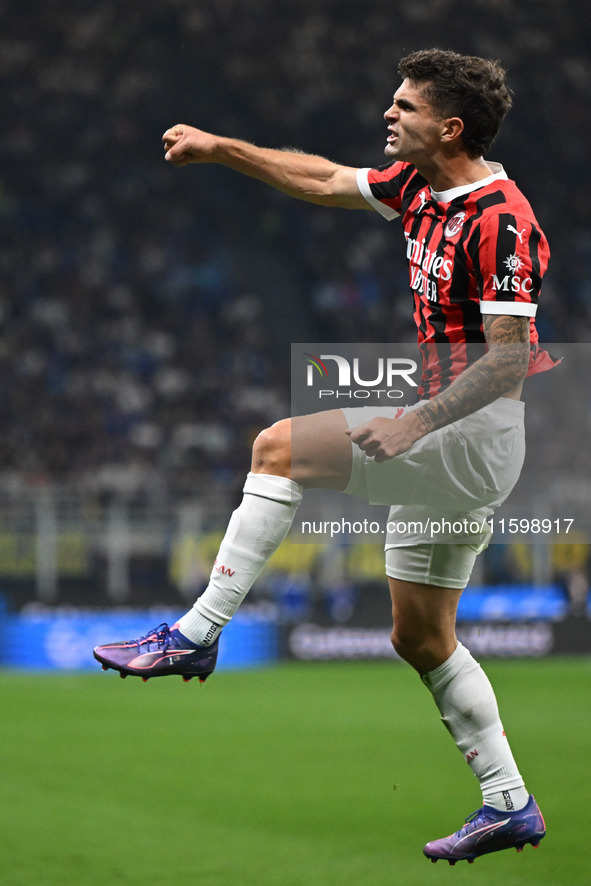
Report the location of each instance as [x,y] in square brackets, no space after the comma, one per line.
[320,774]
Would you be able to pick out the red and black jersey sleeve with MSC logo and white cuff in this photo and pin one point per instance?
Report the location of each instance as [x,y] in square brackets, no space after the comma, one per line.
[510,255]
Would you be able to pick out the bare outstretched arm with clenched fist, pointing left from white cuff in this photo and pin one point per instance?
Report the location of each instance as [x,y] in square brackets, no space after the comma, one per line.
[304,176]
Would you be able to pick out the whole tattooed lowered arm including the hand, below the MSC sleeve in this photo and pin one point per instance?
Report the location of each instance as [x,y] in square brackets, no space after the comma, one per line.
[500,371]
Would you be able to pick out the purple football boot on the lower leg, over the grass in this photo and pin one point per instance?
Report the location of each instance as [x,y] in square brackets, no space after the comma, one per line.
[489,830]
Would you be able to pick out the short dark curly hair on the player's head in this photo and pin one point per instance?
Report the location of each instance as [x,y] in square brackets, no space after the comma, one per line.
[464,86]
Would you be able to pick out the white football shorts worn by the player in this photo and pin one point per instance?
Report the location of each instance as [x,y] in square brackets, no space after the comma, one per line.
[445,487]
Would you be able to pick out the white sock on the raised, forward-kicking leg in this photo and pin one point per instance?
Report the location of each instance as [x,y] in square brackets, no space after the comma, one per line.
[255,531]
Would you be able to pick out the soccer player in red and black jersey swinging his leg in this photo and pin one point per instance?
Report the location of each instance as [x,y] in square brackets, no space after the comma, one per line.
[476,258]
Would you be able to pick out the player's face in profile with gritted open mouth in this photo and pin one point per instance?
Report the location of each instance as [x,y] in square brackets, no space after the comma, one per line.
[414,131]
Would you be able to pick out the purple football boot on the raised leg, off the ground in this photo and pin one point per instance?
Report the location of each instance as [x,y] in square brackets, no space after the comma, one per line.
[160,652]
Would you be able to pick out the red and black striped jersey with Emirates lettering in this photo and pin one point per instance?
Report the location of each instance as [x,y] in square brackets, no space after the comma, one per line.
[472,250]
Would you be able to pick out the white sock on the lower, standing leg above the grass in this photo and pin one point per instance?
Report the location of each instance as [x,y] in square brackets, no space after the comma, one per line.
[469,710]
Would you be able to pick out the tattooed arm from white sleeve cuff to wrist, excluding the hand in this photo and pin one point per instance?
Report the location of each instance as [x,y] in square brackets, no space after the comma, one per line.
[502,368]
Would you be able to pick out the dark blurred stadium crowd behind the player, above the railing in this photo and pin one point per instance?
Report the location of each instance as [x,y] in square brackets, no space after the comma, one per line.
[146,313]
